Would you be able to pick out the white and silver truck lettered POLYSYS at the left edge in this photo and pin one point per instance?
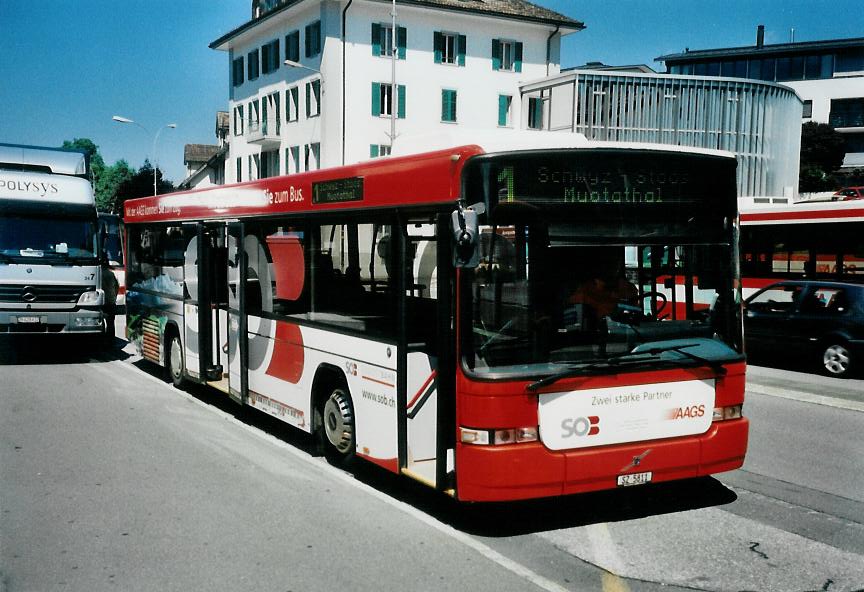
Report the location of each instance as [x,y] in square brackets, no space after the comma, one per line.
[53,274]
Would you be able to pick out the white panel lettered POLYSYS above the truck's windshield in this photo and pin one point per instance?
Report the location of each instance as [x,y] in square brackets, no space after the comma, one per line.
[42,187]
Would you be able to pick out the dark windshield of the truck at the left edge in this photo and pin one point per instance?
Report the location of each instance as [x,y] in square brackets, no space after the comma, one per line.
[28,237]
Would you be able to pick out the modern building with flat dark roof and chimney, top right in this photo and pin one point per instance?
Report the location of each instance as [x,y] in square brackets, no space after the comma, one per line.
[827,75]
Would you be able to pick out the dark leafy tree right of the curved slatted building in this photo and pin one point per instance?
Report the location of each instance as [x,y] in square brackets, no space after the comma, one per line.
[822,153]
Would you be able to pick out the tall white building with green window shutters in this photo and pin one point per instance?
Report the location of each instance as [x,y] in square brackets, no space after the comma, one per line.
[458,63]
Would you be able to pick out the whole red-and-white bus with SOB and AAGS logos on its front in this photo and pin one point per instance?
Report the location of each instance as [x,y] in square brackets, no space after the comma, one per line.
[485,320]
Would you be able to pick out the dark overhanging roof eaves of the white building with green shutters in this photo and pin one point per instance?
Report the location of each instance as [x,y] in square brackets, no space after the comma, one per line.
[512,9]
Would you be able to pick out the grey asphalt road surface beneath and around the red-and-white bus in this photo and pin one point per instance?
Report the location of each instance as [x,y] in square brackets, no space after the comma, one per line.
[111,479]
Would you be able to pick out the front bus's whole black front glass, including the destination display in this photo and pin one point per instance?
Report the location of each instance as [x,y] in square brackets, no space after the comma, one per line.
[567,280]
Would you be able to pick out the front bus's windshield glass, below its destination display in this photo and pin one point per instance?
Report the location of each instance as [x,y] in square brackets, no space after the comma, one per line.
[571,302]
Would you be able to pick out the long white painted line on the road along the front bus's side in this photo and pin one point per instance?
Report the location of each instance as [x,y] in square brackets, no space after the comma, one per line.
[487,552]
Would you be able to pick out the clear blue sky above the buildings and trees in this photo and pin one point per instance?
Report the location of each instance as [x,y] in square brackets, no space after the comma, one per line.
[67,66]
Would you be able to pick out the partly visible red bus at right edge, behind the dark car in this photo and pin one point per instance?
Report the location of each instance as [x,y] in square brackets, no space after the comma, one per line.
[809,240]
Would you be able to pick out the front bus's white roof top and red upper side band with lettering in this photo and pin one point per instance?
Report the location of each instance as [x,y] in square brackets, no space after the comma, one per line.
[404,179]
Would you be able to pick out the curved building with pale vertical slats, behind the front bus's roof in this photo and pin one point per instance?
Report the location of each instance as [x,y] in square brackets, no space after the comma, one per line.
[760,122]
